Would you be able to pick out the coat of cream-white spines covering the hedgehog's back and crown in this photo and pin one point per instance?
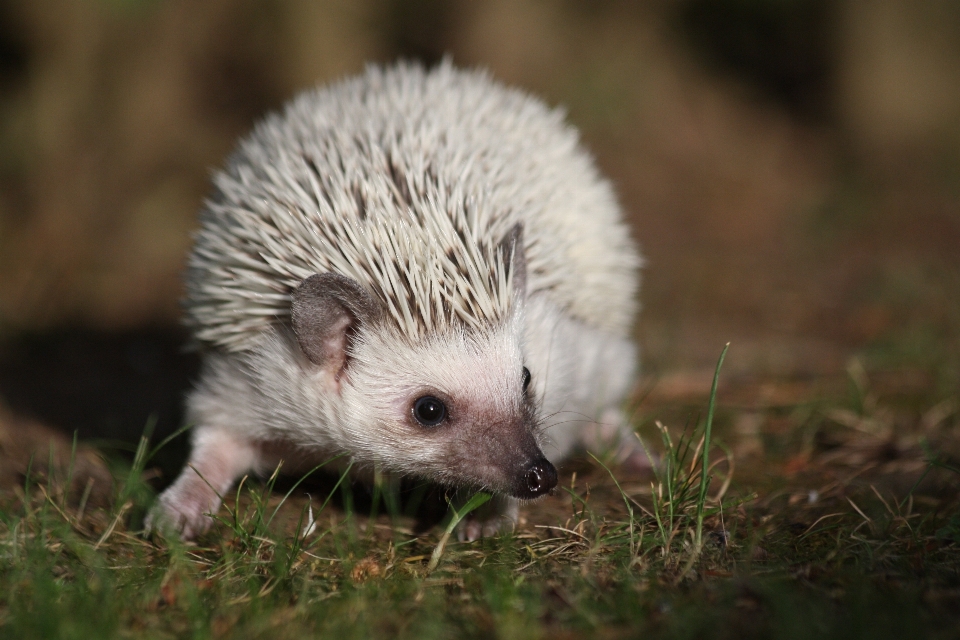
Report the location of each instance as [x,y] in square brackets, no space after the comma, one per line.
[410,182]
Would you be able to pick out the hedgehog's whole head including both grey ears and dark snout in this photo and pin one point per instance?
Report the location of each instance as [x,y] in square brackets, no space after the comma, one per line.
[453,405]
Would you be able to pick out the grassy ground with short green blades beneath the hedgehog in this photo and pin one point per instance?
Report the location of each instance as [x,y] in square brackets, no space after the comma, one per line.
[838,538]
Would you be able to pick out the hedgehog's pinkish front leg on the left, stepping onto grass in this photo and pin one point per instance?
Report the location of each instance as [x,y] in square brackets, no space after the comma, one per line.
[218,458]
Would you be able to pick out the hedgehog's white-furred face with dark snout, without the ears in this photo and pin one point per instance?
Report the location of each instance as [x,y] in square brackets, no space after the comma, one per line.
[456,408]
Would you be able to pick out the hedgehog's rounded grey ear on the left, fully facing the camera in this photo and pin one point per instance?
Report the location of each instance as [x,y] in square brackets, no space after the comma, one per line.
[326,306]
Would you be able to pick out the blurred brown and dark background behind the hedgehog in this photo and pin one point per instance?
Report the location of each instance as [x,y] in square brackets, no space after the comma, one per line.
[790,168]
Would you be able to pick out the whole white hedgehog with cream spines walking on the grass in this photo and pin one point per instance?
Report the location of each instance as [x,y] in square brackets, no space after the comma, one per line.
[410,267]
